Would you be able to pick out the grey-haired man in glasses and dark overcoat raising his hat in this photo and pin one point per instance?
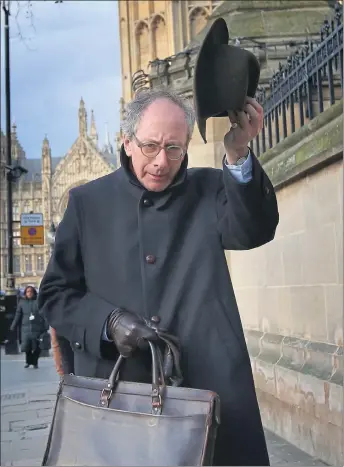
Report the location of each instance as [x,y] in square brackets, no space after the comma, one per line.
[148,241]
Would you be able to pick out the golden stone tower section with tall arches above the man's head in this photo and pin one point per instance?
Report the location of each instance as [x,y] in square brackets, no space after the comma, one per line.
[157,29]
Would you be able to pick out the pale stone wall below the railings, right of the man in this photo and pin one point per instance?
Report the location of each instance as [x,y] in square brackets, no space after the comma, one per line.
[290,292]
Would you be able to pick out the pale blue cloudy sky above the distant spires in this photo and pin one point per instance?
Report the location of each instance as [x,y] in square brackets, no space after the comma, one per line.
[60,53]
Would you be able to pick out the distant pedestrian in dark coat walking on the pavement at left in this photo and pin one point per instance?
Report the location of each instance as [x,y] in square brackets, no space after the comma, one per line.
[33,325]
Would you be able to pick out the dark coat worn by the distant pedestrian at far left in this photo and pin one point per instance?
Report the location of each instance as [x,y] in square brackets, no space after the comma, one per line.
[31,330]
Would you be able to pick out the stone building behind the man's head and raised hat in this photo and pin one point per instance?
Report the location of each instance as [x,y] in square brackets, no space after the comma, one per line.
[272,31]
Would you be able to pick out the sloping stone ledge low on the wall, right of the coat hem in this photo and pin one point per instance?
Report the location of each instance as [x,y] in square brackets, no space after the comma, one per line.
[321,360]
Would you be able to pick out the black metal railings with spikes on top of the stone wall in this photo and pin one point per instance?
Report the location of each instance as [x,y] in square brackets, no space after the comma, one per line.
[309,82]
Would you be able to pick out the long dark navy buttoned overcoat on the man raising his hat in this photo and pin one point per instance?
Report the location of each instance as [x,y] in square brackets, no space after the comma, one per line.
[163,254]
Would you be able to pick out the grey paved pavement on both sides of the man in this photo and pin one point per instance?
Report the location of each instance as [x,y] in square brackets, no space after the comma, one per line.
[27,401]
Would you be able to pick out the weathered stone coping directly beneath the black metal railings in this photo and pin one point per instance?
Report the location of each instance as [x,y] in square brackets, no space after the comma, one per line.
[314,145]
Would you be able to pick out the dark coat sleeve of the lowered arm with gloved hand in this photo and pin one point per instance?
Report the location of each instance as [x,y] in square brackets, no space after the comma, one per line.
[69,307]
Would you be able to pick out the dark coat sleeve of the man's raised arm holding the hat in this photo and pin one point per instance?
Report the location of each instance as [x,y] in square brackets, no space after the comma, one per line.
[247,213]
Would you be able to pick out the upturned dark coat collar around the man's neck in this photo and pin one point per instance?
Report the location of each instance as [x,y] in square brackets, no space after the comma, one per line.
[138,190]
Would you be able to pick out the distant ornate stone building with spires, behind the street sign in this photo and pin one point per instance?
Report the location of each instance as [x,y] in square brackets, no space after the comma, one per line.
[44,189]
